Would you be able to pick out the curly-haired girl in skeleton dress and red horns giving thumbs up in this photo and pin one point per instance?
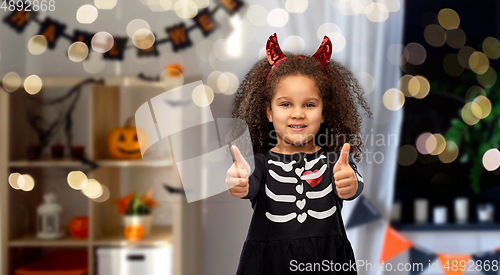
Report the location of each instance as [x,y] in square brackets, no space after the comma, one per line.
[302,113]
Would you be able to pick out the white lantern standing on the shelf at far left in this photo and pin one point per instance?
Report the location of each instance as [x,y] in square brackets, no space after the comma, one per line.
[49,218]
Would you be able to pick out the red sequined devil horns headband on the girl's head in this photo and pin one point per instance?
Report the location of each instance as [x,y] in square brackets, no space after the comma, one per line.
[275,55]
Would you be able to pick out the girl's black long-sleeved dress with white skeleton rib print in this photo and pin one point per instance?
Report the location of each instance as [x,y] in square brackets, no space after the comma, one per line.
[296,226]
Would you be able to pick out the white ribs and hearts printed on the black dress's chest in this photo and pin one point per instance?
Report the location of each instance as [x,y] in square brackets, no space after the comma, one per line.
[296,175]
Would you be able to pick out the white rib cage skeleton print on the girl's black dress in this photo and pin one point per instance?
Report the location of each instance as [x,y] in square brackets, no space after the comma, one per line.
[304,174]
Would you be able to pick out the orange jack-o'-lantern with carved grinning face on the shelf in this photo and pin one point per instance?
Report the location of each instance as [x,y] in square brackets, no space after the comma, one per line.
[123,142]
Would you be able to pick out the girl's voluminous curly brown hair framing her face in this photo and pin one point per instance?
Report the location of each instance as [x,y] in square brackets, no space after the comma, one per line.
[341,93]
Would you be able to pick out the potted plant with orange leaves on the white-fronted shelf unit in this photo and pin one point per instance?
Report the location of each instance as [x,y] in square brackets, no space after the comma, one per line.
[136,211]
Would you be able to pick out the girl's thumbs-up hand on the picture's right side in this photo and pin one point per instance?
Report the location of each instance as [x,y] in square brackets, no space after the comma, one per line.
[345,179]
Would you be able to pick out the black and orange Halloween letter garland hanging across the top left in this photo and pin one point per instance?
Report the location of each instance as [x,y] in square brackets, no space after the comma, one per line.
[177,34]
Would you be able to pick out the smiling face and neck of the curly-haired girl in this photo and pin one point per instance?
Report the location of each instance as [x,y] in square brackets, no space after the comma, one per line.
[296,113]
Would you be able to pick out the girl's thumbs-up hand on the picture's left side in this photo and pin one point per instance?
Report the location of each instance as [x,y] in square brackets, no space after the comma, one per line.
[238,174]
